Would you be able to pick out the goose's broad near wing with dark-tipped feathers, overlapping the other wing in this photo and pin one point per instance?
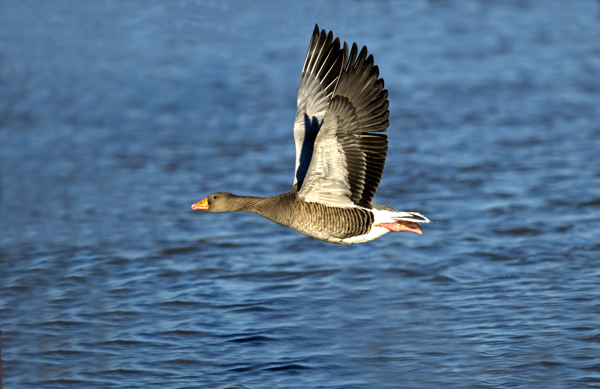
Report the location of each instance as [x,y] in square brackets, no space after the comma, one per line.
[350,149]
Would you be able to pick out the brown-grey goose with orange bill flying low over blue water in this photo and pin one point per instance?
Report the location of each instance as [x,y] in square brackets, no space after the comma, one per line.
[340,153]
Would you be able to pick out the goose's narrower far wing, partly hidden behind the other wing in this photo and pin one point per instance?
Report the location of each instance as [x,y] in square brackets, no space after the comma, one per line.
[320,75]
